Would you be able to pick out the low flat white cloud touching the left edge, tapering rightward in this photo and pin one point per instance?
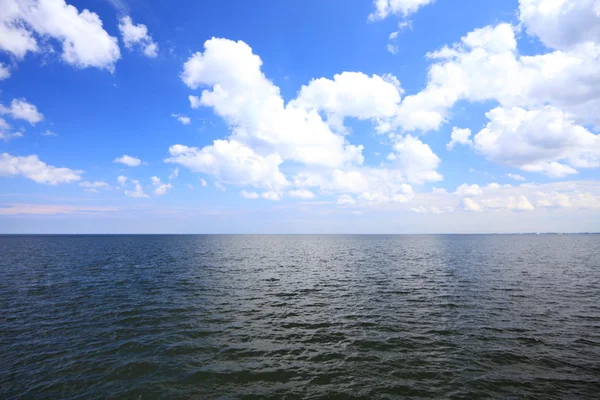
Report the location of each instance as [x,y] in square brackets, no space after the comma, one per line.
[33,168]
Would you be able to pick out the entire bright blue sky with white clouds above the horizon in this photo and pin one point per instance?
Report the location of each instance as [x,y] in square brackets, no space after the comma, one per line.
[385,116]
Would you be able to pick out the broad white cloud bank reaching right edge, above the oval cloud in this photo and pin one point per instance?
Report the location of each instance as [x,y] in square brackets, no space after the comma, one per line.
[485,65]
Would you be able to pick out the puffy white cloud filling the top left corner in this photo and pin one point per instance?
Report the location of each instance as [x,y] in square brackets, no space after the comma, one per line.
[84,41]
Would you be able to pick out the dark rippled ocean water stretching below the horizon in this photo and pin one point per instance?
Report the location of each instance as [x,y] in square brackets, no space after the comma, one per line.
[285,317]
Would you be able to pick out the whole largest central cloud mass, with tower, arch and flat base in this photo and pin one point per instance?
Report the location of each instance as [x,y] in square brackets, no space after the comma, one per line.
[267,134]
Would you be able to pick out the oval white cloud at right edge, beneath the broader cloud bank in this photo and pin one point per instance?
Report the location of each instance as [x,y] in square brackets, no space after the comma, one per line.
[543,140]
